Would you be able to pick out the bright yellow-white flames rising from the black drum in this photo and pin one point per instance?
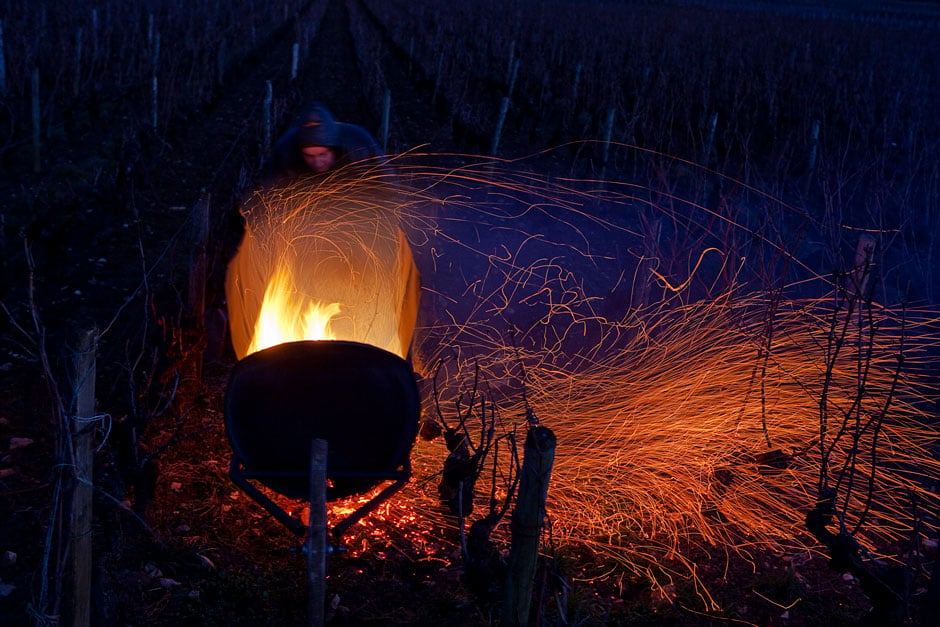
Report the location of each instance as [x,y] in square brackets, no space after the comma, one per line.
[287,315]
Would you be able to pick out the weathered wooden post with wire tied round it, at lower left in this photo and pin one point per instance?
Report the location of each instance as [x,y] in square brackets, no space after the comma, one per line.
[82,432]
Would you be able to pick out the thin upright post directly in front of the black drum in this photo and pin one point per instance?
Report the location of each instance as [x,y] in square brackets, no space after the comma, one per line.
[316,534]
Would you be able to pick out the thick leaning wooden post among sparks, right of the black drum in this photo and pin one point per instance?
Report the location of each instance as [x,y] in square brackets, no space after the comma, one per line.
[526,524]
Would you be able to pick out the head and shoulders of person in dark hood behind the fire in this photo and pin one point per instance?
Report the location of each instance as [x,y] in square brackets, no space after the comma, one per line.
[317,144]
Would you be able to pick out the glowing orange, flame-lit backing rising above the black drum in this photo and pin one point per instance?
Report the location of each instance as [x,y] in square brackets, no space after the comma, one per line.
[304,254]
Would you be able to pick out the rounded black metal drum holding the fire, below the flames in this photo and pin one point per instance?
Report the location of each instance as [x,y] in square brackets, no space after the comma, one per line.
[361,399]
